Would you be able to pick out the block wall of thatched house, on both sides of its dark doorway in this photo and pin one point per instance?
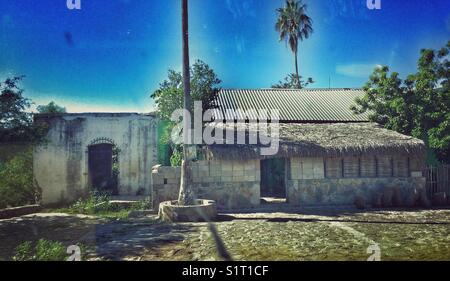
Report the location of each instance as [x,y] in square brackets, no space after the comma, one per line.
[236,184]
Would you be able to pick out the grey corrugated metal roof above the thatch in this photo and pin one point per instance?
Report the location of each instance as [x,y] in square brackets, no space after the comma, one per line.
[305,105]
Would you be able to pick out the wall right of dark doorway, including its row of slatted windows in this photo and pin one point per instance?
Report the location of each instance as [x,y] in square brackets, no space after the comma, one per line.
[339,181]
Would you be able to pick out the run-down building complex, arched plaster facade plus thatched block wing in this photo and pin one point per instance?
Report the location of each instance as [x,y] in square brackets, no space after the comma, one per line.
[326,156]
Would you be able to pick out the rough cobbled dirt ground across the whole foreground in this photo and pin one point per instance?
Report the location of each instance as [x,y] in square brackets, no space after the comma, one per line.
[304,234]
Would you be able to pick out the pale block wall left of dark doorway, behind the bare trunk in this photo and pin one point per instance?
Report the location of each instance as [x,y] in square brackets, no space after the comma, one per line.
[232,184]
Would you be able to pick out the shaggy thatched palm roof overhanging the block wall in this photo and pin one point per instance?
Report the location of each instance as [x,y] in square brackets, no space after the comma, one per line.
[319,140]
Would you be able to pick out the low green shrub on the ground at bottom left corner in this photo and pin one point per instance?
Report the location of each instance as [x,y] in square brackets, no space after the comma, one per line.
[44,250]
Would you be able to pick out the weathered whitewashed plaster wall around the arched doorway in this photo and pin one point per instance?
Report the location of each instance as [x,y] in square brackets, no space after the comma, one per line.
[61,164]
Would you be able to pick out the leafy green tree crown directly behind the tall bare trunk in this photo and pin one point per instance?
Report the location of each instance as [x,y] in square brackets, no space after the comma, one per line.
[204,87]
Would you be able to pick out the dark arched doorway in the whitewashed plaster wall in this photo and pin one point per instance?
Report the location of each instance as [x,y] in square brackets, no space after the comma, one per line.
[103,166]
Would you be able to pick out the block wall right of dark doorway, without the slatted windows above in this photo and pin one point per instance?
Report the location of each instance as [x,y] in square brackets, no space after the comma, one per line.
[308,183]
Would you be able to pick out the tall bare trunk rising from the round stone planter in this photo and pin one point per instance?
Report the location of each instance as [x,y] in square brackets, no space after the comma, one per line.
[186,196]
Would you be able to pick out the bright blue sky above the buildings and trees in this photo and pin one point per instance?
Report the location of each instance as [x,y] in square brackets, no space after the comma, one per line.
[111,54]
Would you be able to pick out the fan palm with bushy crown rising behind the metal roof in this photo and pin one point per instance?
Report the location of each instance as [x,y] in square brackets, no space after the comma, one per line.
[294,25]
